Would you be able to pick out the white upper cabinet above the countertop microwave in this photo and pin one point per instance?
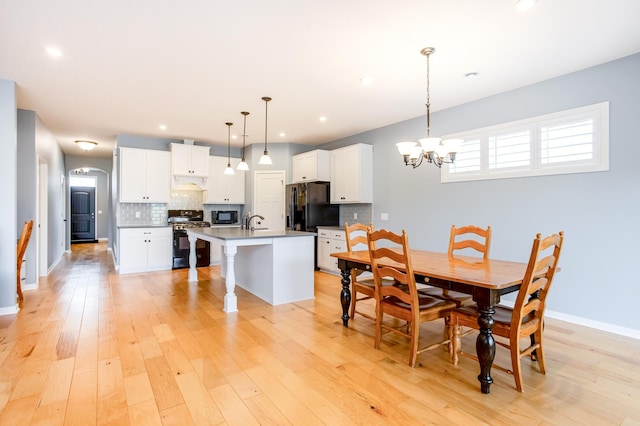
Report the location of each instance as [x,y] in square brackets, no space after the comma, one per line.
[221,188]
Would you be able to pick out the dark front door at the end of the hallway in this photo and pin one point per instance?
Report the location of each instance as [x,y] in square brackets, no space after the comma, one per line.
[83,214]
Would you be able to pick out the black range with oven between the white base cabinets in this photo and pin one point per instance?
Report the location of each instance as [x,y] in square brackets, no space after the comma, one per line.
[181,220]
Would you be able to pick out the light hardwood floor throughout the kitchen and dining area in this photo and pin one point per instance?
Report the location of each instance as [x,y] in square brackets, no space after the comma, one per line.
[94,347]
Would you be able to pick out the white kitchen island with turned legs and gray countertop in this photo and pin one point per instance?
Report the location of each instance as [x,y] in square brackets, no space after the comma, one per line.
[276,266]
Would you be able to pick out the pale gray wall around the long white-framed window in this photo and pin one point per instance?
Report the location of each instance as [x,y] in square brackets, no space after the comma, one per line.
[598,211]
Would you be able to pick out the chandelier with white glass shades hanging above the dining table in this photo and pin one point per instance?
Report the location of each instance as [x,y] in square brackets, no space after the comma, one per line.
[434,150]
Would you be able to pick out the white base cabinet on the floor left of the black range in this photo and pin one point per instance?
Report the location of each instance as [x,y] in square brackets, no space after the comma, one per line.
[145,249]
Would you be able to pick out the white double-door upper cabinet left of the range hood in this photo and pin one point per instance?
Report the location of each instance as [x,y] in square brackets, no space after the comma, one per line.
[145,176]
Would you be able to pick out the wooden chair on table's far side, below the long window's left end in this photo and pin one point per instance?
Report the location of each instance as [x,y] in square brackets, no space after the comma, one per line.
[469,240]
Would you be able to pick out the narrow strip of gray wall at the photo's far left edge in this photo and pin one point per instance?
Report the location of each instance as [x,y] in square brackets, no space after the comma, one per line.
[8,169]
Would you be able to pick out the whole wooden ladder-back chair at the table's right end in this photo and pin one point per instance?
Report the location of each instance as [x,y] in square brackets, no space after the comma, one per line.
[525,319]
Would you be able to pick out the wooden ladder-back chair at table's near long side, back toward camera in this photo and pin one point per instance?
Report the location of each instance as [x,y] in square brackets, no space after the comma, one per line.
[392,261]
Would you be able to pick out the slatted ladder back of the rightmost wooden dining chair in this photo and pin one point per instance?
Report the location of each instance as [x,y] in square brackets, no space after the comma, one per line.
[537,280]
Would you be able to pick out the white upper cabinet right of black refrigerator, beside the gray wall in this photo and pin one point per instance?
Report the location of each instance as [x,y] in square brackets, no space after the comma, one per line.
[352,174]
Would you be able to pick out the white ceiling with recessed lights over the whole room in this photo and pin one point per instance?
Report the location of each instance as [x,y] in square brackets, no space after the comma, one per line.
[129,66]
